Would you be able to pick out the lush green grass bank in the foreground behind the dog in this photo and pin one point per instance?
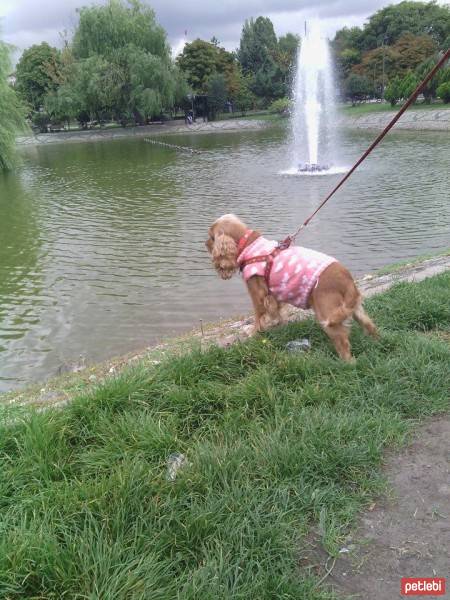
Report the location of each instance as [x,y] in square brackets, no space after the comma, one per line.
[278,445]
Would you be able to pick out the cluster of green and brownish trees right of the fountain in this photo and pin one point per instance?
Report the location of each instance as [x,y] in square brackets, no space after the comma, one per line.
[393,51]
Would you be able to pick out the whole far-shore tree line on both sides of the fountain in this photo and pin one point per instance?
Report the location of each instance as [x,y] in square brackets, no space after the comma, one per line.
[118,64]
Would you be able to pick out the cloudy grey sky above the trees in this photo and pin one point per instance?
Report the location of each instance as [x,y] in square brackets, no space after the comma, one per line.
[27,22]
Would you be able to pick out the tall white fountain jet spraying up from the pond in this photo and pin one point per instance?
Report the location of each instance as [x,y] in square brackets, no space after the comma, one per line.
[314,116]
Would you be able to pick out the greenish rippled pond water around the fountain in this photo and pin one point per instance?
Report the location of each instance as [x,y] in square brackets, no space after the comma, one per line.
[102,243]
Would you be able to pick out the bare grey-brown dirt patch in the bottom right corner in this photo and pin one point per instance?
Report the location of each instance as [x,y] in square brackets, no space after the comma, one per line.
[407,533]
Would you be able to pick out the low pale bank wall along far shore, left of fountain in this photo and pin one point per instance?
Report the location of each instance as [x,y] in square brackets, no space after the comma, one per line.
[170,127]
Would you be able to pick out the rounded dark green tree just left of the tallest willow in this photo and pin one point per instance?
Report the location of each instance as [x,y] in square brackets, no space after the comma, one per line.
[34,73]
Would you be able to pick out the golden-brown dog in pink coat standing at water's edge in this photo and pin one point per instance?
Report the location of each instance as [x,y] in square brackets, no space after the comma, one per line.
[332,295]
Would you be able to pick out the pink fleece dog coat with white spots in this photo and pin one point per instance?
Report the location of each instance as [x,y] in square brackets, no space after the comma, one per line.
[294,273]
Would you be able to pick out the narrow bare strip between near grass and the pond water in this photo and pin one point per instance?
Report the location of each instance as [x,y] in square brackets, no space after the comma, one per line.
[80,378]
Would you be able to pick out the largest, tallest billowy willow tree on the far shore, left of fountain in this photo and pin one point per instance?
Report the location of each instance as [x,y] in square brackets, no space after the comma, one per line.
[123,63]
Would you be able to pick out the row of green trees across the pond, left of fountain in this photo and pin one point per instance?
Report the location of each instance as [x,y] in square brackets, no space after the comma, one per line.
[118,66]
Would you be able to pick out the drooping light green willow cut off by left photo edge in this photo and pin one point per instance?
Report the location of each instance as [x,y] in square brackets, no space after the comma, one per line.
[11,113]
